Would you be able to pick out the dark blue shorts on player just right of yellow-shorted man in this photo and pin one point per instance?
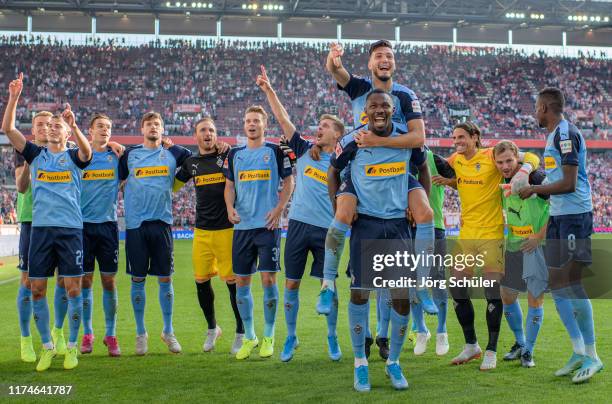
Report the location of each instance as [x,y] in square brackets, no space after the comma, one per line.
[249,245]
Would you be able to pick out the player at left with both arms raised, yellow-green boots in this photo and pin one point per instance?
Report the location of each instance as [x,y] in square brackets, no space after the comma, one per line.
[56,238]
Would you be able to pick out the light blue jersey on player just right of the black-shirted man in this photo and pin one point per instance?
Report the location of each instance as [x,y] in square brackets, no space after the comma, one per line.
[256,174]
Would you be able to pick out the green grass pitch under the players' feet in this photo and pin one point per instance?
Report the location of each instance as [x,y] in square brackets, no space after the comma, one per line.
[309,377]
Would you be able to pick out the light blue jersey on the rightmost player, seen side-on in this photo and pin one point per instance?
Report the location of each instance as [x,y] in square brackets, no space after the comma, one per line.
[566,146]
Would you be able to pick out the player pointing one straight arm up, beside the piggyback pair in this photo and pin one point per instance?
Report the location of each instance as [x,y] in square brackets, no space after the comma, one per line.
[309,217]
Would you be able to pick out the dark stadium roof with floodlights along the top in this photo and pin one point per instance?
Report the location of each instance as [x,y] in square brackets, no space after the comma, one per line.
[570,14]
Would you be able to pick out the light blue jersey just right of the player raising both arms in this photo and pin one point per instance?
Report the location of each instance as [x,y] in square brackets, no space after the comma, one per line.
[100,188]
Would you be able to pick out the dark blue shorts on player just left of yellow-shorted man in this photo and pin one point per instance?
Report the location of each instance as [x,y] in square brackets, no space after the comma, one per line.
[149,250]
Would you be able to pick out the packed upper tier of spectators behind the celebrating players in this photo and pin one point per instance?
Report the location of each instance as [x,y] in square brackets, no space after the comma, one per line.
[185,80]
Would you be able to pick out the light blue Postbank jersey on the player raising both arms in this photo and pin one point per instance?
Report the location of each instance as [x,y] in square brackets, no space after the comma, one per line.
[56,186]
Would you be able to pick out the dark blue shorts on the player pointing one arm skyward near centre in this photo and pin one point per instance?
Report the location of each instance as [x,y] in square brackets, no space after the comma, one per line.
[301,239]
